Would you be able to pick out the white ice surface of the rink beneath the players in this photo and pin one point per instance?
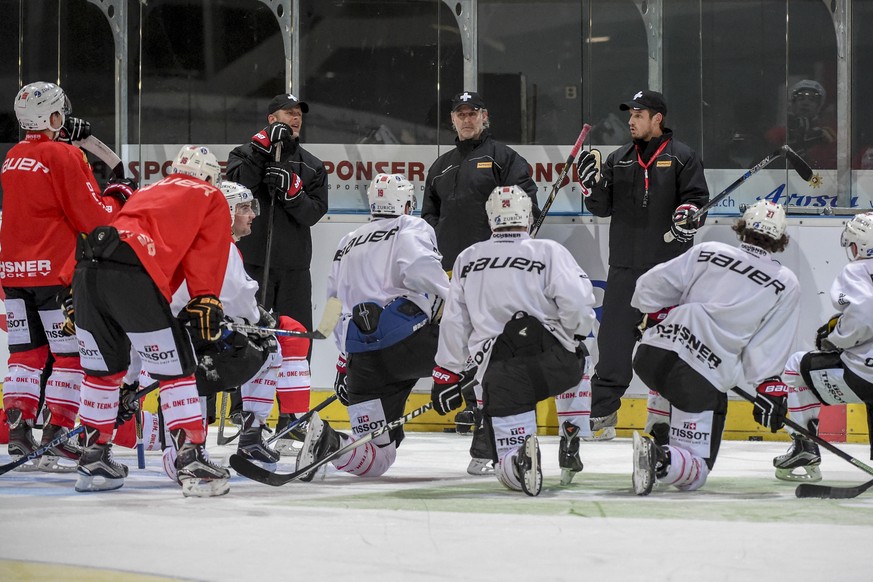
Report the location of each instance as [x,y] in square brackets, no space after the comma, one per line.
[426,519]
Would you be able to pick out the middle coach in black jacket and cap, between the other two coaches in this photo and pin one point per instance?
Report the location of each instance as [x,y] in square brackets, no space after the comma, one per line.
[460,181]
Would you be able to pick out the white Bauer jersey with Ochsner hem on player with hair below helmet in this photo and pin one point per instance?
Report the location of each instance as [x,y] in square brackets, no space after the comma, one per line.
[736,315]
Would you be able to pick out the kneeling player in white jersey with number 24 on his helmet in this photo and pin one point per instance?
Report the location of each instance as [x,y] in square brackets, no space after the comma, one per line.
[518,308]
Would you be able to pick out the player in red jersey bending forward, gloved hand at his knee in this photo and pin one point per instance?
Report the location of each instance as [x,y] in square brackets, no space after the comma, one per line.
[176,229]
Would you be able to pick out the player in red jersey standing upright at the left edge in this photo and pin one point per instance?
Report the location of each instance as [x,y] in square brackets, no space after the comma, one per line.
[50,195]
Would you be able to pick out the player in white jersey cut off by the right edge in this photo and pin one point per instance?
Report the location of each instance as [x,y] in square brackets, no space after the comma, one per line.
[840,369]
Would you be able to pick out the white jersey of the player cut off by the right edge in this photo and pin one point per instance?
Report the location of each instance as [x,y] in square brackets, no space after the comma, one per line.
[852,295]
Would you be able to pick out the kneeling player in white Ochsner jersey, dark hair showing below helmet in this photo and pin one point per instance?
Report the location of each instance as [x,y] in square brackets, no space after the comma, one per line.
[723,316]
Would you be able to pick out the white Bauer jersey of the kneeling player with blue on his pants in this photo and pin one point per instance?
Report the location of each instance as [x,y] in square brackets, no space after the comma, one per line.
[385,259]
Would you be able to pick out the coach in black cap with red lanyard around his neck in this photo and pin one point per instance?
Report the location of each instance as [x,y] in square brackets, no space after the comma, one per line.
[647,187]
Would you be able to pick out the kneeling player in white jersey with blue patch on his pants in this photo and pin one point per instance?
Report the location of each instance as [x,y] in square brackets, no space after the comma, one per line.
[388,276]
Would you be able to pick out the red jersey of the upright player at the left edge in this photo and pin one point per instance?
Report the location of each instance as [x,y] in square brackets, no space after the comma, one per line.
[49,195]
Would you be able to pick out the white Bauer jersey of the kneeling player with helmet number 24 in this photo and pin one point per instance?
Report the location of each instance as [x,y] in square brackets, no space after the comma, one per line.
[511,272]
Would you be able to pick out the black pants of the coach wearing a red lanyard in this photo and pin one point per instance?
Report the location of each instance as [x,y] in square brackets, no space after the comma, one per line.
[615,342]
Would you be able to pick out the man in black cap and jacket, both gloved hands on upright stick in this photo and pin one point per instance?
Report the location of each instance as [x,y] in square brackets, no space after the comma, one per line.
[294,190]
